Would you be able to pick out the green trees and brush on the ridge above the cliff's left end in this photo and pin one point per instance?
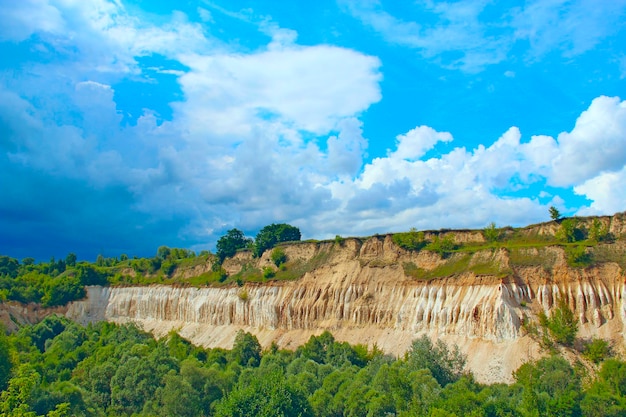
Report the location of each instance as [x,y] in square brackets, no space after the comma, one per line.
[59,281]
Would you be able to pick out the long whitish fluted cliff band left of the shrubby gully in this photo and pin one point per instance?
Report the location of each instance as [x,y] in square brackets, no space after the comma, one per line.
[473,311]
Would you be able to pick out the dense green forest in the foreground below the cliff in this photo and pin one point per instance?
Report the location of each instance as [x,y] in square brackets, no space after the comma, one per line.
[59,368]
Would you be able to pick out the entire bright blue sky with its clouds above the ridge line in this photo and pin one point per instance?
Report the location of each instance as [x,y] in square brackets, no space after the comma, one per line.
[126,125]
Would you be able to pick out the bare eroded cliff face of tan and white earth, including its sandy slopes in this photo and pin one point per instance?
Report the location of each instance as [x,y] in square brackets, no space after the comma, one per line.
[360,291]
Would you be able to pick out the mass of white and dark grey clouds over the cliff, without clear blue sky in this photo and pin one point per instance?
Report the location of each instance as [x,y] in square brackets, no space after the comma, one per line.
[260,136]
